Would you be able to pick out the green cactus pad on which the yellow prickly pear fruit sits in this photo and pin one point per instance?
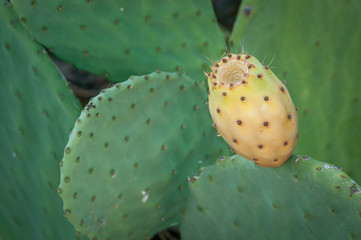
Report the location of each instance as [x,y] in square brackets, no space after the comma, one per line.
[302,199]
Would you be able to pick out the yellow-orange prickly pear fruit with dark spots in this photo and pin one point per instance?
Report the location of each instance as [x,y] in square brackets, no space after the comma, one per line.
[252,110]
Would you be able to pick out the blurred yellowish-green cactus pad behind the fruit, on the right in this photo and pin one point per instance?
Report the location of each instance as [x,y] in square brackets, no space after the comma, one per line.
[316,49]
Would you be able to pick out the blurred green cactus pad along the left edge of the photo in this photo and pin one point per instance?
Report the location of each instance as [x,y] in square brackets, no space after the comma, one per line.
[37,112]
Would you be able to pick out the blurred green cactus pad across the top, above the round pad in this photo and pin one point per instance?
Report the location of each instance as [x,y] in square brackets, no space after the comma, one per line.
[118,38]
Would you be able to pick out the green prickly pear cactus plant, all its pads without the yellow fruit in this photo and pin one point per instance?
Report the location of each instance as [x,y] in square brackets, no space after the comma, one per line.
[117,39]
